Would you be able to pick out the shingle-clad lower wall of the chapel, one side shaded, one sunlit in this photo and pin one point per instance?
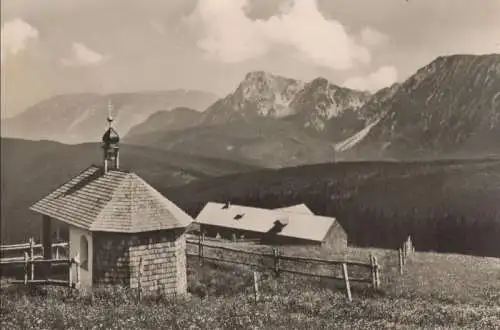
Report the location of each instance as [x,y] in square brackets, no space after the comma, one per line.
[162,254]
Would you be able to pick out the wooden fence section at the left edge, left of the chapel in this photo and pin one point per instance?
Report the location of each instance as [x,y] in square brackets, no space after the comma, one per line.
[30,259]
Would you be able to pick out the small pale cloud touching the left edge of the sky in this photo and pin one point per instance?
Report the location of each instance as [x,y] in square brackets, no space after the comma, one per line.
[15,35]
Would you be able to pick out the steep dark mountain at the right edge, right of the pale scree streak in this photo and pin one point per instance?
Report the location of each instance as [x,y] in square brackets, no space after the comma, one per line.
[449,107]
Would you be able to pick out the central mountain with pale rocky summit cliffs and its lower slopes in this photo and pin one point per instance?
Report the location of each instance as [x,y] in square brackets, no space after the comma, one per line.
[269,121]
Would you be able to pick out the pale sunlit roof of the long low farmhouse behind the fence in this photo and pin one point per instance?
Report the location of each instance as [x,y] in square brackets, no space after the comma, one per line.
[299,225]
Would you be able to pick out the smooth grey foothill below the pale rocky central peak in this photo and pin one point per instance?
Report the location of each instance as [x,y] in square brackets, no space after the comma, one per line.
[263,142]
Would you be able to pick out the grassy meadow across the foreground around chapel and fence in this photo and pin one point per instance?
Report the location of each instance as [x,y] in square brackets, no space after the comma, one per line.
[436,291]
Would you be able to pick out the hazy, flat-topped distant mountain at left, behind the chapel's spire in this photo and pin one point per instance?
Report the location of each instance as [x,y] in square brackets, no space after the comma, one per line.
[77,118]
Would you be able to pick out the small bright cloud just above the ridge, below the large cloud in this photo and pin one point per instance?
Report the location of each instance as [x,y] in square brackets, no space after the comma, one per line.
[383,77]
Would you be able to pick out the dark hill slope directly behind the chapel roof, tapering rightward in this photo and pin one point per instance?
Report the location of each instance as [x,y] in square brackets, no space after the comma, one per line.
[31,169]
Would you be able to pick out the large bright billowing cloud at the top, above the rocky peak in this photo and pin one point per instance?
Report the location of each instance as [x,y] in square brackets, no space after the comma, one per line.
[230,36]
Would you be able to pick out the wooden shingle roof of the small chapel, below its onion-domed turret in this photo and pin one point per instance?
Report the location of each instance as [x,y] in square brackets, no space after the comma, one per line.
[116,201]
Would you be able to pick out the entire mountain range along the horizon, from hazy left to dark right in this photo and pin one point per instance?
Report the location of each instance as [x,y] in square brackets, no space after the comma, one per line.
[448,108]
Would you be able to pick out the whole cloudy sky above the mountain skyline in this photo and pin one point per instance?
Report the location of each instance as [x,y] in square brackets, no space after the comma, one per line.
[104,46]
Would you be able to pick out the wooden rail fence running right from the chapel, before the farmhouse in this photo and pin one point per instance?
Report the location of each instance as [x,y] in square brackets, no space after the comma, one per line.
[280,263]
